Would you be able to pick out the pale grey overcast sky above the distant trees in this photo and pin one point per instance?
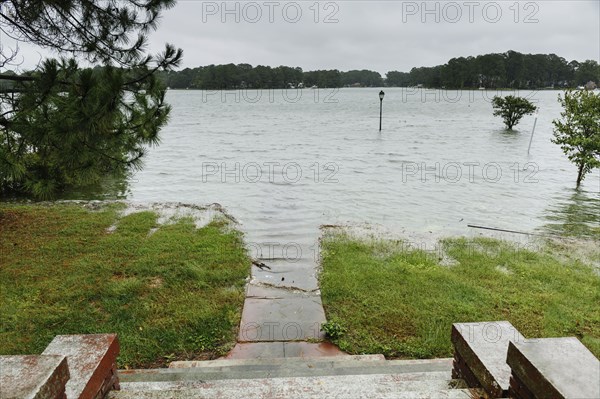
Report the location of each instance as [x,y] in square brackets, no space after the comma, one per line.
[377,35]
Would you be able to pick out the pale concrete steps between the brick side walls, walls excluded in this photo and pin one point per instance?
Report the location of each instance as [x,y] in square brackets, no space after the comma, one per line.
[369,376]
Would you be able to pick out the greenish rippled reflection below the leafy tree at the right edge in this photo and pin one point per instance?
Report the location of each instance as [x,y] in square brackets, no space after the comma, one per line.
[577,214]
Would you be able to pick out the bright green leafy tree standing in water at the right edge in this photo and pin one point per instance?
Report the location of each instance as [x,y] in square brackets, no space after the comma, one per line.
[578,130]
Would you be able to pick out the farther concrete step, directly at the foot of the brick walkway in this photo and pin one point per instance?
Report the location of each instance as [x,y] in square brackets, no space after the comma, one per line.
[291,367]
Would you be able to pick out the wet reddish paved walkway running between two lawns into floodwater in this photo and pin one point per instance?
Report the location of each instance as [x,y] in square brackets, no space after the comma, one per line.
[282,308]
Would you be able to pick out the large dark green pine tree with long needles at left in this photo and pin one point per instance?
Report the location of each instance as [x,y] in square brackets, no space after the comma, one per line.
[62,125]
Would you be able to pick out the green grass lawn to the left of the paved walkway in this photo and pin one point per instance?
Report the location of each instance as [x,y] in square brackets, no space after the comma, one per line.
[171,293]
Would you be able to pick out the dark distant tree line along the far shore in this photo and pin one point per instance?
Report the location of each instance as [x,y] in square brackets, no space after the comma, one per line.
[507,70]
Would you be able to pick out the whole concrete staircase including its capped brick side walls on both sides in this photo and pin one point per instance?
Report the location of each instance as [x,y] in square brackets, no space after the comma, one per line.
[491,358]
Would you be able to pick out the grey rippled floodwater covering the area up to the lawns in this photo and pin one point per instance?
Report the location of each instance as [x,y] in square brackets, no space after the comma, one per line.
[285,162]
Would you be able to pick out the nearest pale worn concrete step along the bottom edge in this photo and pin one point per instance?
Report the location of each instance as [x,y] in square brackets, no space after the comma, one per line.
[346,386]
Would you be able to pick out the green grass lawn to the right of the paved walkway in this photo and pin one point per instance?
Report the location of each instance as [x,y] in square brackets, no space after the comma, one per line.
[401,302]
